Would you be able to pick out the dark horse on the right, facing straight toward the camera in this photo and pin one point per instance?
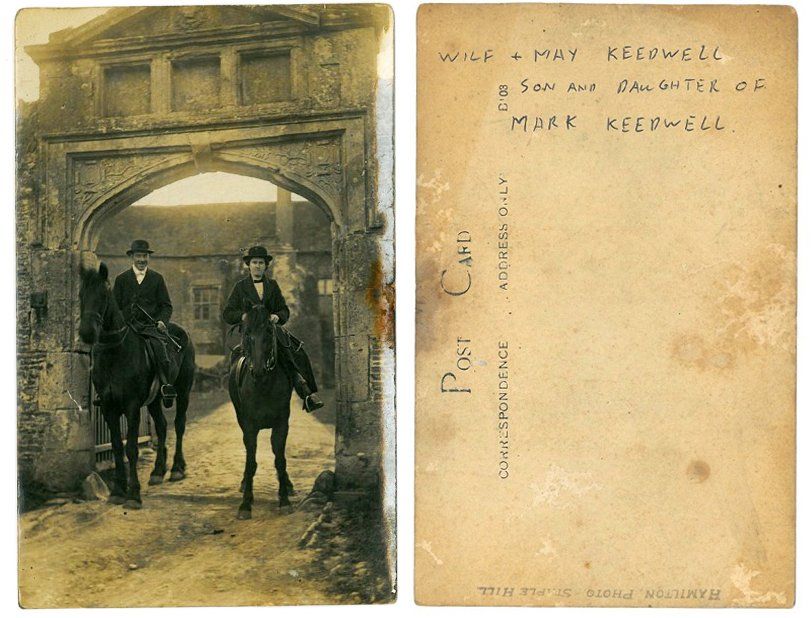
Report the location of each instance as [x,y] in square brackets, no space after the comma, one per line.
[260,391]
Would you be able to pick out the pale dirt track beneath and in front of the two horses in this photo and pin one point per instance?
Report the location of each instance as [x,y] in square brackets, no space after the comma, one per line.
[186,547]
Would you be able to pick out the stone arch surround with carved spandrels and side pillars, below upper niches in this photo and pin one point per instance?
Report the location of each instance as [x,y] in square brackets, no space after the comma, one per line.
[92,178]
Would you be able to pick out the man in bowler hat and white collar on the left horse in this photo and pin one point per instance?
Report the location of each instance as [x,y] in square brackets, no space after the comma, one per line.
[142,296]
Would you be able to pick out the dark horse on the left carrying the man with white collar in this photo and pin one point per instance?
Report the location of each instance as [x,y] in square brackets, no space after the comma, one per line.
[125,380]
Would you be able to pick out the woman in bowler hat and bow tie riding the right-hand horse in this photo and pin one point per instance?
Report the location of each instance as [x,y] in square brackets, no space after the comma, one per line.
[258,288]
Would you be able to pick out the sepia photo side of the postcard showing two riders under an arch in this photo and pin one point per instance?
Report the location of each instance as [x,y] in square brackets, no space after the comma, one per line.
[205,305]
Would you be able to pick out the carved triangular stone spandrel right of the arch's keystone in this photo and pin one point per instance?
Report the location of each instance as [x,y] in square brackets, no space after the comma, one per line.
[318,161]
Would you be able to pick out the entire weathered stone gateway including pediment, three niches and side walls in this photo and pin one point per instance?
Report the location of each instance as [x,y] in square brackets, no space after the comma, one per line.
[84,154]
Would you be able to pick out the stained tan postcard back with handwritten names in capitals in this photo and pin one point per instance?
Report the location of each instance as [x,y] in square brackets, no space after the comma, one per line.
[606,305]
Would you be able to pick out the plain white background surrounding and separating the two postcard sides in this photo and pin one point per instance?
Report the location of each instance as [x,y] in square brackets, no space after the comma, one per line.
[405,127]
